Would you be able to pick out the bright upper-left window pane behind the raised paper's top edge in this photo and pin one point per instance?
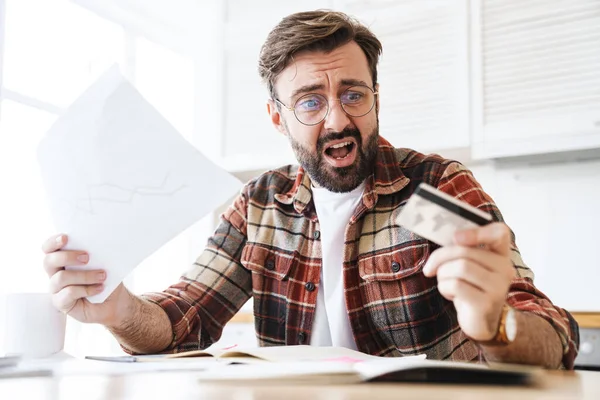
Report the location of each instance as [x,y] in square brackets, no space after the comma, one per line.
[53,53]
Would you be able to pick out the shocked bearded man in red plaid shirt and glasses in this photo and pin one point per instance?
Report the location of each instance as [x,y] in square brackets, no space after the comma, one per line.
[317,246]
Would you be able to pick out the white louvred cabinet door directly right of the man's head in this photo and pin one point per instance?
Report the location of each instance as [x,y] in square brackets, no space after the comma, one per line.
[423,71]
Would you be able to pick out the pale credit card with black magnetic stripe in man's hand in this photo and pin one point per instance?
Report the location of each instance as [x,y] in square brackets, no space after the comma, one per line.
[436,216]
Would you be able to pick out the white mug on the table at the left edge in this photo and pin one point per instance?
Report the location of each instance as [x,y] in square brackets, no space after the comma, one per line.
[30,326]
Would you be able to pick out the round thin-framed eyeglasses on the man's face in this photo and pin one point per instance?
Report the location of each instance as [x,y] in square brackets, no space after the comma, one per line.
[311,109]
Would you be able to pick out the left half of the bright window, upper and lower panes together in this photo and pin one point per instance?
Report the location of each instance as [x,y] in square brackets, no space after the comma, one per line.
[50,56]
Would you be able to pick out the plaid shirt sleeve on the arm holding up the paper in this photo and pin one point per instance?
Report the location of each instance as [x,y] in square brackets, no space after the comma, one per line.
[213,290]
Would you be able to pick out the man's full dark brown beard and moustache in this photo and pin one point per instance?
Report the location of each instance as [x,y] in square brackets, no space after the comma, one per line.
[339,179]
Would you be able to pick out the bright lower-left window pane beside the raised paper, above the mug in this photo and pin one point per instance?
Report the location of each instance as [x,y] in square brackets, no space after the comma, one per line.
[25,221]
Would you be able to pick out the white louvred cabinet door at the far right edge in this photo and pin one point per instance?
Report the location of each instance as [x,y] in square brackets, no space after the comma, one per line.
[536,76]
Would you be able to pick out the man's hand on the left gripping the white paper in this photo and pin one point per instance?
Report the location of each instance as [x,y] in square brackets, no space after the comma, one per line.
[70,288]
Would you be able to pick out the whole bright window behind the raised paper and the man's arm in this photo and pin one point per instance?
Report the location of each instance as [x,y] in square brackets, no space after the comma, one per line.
[50,51]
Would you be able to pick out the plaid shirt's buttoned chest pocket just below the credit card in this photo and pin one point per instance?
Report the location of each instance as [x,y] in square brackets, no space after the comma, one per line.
[396,291]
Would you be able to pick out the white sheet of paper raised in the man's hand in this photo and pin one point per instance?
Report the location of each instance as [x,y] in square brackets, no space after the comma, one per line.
[121,181]
